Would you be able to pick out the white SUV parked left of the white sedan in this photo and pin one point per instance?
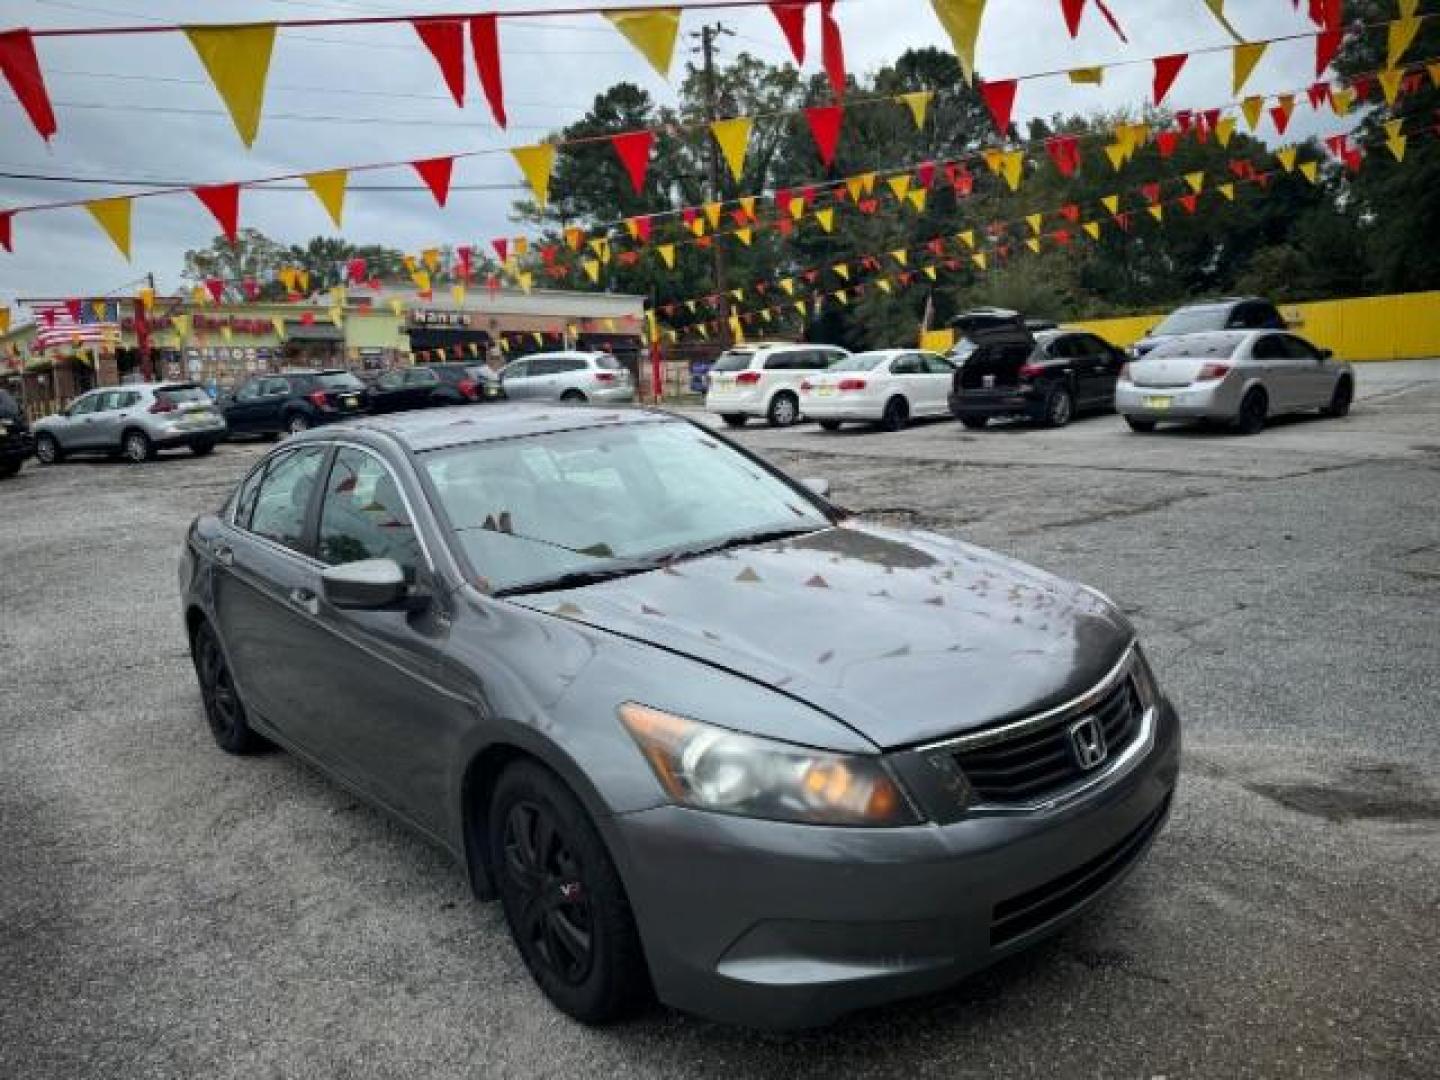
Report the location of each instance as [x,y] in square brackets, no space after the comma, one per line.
[765,381]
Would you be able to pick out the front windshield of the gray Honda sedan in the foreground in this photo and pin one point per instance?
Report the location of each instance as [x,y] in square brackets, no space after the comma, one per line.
[570,508]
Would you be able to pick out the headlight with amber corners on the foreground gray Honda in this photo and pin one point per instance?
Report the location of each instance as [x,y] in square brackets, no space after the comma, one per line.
[716,770]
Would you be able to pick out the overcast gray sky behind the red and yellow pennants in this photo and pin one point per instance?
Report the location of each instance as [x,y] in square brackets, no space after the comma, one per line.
[142,109]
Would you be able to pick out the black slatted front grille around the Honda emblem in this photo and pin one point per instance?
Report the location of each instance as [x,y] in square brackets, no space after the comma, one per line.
[1042,761]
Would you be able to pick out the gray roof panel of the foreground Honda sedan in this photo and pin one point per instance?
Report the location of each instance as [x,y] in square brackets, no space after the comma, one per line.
[428,430]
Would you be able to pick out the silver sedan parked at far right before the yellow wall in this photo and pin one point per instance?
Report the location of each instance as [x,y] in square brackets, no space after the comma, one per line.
[1241,378]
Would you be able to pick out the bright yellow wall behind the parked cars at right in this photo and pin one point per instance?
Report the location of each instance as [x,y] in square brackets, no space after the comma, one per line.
[1398,328]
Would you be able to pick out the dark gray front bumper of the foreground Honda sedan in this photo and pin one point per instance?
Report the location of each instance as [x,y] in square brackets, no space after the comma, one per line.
[775,925]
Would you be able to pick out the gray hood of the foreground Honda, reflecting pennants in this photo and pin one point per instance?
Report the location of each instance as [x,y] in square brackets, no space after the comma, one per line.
[904,637]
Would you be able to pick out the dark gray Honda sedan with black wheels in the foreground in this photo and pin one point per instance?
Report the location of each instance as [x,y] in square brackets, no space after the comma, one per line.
[705,735]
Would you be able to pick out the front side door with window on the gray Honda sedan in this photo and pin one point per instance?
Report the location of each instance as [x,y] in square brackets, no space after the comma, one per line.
[387,724]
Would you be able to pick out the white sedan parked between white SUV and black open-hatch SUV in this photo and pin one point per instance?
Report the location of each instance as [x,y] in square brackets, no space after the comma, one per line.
[889,387]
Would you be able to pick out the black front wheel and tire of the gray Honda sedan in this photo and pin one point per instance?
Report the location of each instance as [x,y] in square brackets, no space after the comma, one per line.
[564,898]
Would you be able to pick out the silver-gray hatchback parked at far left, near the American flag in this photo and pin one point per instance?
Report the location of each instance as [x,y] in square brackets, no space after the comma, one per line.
[133,423]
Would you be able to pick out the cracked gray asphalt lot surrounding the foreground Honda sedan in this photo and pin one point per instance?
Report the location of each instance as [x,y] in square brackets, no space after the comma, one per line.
[168,911]
